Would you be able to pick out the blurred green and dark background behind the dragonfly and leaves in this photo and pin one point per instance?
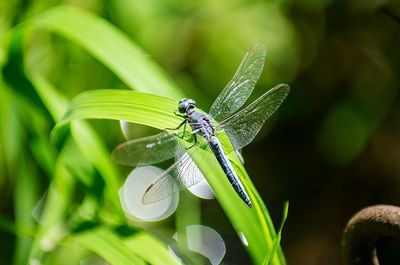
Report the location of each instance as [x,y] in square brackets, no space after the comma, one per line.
[332,148]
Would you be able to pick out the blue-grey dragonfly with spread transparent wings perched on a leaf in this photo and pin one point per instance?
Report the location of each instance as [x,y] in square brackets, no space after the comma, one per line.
[240,125]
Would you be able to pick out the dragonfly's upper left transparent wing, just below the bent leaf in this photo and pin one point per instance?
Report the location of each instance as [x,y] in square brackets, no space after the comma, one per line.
[146,150]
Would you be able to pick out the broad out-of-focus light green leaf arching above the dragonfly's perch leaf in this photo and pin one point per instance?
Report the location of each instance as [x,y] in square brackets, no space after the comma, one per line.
[109,46]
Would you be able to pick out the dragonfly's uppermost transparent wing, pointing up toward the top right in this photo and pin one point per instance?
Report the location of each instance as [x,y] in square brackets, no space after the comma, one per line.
[238,90]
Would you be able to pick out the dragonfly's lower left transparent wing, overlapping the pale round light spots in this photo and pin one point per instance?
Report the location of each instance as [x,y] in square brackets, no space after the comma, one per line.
[181,175]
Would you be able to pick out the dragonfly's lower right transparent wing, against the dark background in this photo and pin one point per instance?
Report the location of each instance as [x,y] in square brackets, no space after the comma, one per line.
[243,126]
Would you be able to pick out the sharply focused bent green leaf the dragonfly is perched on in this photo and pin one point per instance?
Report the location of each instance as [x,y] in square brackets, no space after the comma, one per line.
[155,111]
